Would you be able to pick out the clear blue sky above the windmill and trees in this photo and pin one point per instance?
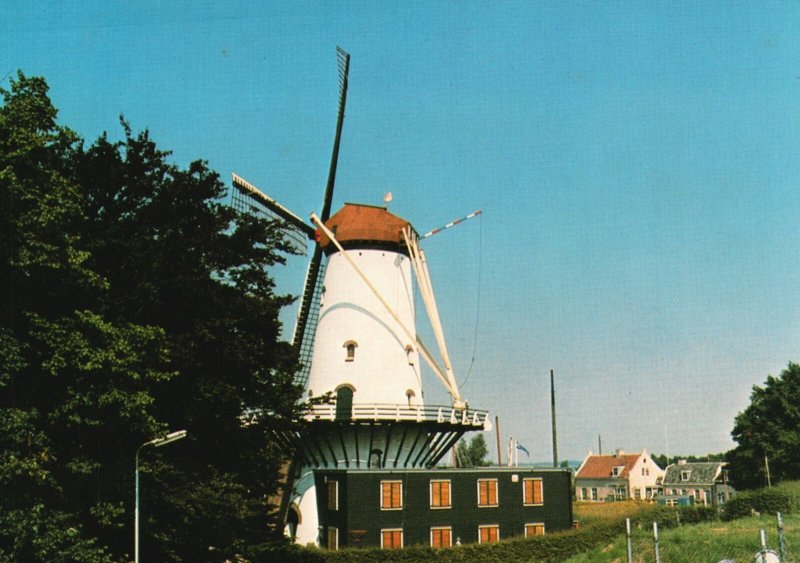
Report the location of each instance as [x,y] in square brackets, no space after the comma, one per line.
[637,165]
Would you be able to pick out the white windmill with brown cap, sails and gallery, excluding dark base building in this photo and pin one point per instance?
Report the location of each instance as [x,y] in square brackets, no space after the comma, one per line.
[356,334]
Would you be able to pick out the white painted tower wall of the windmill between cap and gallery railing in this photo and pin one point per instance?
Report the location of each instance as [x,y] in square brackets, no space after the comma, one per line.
[385,366]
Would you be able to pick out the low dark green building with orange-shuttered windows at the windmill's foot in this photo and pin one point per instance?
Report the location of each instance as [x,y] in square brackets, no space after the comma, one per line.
[439,507]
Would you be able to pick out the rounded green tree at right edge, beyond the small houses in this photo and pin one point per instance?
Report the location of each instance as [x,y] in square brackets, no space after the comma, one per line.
[769,427]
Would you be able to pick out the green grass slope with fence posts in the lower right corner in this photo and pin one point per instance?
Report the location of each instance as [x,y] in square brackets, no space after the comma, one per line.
[738,540]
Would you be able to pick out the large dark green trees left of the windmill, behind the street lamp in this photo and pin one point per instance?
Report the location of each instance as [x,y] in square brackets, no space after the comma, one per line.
[133,302]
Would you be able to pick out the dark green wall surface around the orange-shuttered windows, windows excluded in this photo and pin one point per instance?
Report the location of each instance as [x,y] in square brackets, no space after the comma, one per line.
[359,503]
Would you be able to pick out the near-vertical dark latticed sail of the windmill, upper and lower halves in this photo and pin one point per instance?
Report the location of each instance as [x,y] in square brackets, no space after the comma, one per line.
[306,324]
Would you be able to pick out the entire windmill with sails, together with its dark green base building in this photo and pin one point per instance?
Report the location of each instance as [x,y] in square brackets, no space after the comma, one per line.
[362,469]
